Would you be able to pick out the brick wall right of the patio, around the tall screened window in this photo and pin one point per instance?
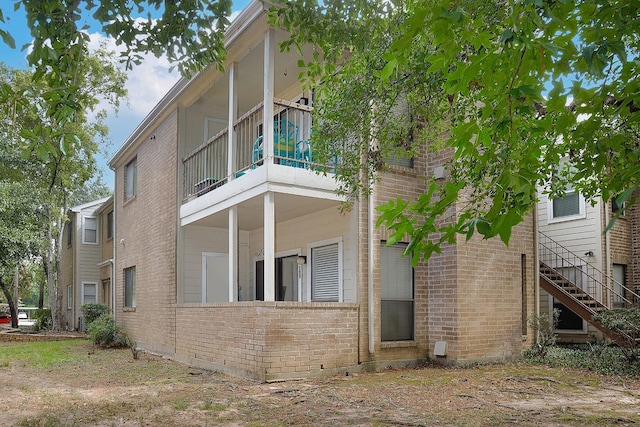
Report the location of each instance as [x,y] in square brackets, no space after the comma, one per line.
[471,295]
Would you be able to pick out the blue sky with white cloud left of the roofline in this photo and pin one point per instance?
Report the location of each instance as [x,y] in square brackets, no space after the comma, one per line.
[147,82]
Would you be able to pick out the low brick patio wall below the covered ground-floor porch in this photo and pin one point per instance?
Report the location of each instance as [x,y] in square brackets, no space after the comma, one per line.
[268,340]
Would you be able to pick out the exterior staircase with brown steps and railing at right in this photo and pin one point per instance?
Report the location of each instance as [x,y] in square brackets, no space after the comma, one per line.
[582,288]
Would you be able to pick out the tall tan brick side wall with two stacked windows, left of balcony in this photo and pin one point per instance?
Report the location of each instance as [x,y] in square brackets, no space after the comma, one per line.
[146,238]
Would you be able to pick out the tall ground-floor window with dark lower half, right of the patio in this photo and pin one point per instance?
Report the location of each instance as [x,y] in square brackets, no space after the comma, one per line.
[396,294]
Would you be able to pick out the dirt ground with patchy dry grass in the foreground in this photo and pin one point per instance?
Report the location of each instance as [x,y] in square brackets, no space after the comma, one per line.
[109,388]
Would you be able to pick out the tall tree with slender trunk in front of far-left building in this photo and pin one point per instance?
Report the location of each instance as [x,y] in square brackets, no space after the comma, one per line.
[63,177]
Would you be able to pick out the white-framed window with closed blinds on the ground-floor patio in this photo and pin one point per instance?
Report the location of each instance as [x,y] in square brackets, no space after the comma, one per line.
[326,276]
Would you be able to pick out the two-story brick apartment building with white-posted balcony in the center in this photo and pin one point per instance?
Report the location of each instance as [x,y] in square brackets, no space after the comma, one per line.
[232,253]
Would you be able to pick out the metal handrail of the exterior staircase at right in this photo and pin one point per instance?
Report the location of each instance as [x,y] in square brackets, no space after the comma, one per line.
[550,250]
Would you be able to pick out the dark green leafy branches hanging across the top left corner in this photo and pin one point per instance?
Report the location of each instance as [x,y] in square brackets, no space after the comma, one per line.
[189,32]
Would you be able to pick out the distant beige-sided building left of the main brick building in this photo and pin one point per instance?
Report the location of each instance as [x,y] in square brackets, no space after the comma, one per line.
[87,245]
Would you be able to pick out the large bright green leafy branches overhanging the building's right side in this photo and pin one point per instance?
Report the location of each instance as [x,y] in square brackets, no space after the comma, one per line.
[509,89]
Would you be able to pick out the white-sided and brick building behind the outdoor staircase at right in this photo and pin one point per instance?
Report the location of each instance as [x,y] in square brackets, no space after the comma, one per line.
[602,268]
